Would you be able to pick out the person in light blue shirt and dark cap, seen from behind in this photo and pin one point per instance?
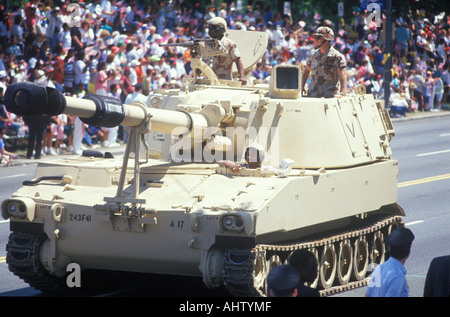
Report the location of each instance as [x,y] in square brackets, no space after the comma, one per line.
[388,279]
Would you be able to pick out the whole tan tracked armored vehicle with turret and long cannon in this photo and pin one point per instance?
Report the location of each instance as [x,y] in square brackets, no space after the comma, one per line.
[326,182]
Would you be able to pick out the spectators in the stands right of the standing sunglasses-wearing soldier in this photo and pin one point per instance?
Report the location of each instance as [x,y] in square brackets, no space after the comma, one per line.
[420,61]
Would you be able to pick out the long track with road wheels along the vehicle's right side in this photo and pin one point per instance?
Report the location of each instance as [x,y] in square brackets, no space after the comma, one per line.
[240,265]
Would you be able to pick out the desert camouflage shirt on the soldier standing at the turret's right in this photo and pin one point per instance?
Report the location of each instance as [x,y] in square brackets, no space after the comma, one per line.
[324,73]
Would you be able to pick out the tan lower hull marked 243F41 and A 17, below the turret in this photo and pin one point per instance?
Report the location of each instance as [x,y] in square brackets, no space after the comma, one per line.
[183,226]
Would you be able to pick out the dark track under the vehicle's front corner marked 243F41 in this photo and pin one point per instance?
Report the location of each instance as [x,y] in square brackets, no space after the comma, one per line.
[22,256]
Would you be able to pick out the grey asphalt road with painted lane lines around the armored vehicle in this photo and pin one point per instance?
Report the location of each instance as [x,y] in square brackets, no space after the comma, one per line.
[423,149]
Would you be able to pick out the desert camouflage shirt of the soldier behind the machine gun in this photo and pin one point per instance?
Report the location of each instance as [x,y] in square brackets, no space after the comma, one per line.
[225,53]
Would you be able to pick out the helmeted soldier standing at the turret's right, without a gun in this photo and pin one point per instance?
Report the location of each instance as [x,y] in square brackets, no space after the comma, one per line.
[327,67]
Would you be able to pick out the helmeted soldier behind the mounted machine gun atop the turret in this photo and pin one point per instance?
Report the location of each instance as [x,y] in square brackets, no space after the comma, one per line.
[222,63]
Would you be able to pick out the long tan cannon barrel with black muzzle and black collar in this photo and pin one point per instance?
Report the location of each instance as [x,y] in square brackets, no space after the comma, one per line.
[29,99]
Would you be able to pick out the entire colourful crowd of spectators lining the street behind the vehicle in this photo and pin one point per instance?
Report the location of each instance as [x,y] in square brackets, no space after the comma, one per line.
[112,47]
